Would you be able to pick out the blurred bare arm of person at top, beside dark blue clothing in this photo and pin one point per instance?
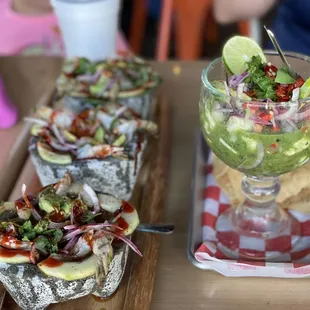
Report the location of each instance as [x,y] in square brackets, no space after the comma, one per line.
[228,11]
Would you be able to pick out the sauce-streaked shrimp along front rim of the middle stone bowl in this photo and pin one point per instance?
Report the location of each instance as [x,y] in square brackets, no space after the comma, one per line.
[99,151]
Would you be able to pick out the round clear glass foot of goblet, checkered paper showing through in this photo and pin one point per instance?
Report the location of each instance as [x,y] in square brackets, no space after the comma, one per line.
[250,233]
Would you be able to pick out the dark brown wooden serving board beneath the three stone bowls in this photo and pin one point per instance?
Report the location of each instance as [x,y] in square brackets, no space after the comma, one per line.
[135,290]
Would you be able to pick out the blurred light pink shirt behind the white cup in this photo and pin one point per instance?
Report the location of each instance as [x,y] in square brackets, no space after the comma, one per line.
[24,34]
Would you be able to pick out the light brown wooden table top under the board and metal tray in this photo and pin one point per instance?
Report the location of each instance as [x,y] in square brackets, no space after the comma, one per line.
[178,284]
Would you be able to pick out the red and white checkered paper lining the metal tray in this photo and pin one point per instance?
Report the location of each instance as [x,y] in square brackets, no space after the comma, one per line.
[295,264]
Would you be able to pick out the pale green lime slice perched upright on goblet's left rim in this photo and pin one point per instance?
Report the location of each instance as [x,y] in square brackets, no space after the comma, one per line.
[238,51]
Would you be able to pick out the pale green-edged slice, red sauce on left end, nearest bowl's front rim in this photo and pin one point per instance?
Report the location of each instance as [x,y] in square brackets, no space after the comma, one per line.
[53,266]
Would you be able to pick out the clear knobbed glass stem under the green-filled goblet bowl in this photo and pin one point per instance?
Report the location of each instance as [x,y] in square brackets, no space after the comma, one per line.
[259,208]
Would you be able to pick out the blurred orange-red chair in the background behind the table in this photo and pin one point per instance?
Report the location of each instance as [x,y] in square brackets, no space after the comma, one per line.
[189,17]
